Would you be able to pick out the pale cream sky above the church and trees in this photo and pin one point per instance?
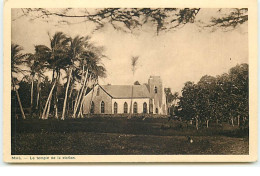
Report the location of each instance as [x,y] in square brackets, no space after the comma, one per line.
[178,56]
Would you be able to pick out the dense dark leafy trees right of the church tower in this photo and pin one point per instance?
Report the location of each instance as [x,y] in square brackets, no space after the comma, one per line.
[221,98]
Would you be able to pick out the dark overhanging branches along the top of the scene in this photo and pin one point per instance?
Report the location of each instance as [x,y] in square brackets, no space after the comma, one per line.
[128,19]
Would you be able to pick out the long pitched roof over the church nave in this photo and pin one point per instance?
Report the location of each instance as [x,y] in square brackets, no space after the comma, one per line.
[125,91]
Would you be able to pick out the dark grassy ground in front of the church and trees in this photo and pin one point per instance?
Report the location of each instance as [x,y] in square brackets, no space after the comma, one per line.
[109,136]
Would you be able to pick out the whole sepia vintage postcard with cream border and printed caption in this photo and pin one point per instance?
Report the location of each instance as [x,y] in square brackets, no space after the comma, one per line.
[130,81]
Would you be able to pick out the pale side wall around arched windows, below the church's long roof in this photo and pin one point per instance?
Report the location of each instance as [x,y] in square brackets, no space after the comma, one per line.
[139,101]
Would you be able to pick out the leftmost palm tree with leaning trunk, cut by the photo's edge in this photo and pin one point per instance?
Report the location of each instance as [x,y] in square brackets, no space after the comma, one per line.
[17,59]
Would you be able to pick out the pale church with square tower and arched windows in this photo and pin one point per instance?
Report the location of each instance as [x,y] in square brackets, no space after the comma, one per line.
[116,99]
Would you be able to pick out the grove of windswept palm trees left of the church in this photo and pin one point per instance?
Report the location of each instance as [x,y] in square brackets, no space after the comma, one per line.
[64,54]
